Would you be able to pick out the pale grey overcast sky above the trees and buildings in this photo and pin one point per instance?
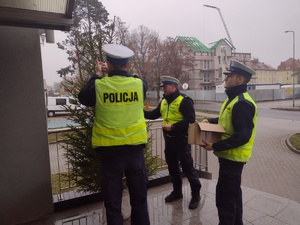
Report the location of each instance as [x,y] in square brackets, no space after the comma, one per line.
[255,26]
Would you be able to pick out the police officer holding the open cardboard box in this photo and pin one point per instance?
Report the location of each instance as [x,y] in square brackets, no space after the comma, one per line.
[238,117]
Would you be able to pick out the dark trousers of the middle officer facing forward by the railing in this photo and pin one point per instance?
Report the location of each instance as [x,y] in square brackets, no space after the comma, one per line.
[178,151]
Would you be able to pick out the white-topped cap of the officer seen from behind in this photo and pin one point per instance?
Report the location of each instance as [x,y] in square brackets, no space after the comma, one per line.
[117,53]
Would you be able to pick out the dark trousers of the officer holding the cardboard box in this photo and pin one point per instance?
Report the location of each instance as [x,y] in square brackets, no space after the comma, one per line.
[229,193]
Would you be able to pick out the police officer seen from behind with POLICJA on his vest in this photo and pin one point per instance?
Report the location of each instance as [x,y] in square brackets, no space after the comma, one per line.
[119,133]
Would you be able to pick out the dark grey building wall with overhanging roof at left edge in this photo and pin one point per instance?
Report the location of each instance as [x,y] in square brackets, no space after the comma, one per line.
[26,192]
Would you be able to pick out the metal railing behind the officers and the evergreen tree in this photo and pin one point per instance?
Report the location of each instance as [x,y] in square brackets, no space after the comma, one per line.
[60,167]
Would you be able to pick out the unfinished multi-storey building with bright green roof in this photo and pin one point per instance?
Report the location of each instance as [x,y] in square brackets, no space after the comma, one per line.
[211,62]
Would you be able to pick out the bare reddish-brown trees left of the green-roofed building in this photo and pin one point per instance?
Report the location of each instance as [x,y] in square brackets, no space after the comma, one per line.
[154,57]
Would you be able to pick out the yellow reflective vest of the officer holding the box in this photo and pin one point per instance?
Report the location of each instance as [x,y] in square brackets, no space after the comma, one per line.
[244,152]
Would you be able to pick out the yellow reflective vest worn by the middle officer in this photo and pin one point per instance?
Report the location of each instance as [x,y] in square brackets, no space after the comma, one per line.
[170,113]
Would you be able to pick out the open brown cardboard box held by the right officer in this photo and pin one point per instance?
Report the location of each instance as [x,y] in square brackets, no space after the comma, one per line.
[204,131]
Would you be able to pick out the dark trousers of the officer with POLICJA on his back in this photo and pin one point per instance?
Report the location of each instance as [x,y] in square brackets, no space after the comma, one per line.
[129,159]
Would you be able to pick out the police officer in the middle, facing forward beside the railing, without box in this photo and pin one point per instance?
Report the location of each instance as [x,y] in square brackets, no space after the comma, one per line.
[177,111]
